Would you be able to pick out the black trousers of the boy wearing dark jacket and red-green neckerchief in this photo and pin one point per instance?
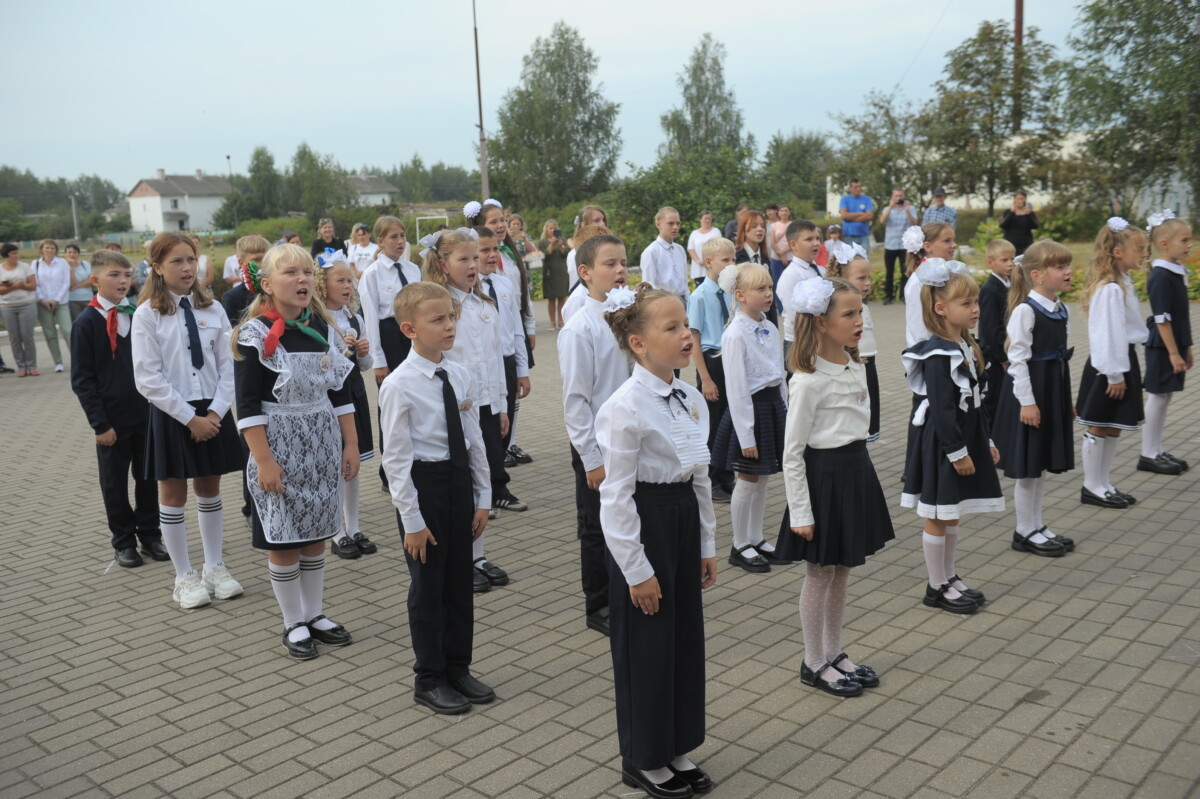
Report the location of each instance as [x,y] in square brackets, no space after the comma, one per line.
[129,525]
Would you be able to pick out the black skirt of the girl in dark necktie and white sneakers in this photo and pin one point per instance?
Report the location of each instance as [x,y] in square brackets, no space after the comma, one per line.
[172,454]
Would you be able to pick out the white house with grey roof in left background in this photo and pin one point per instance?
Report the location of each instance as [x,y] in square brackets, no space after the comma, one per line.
[177,202]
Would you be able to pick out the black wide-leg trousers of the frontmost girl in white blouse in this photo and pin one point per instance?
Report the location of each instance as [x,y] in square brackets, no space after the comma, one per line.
[658,662]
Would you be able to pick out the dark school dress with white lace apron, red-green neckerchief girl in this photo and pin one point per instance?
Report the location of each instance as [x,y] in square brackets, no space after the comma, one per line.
[295,393]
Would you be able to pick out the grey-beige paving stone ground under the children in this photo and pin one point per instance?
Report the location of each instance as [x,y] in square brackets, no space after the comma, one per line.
[1079,677]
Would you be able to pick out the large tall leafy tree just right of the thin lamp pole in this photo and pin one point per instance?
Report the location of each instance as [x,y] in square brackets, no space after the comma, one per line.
[557,139]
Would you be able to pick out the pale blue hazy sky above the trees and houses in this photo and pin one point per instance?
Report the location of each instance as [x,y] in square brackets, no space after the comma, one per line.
[123,88]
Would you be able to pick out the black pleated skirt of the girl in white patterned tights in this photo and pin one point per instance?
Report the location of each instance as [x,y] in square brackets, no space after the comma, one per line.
[850,512]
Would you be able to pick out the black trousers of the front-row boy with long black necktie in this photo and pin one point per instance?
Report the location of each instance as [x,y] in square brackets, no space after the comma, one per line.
[441,603]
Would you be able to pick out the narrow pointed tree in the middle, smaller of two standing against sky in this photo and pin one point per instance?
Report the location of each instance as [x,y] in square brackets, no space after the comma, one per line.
[710,117]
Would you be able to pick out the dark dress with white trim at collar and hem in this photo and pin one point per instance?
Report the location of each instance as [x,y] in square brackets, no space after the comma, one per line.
[949,422]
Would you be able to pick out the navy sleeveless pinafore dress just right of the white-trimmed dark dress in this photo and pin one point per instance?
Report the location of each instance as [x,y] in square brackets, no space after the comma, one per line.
[1029,452]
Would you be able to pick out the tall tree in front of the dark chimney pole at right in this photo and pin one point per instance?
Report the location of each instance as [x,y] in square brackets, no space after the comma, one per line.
[971,123]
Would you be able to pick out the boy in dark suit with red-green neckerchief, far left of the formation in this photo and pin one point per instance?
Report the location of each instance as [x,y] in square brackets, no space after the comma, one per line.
[103,379]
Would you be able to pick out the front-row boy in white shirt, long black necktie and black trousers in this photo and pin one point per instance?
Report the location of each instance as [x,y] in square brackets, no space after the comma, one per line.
[441,486]
